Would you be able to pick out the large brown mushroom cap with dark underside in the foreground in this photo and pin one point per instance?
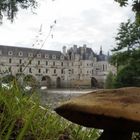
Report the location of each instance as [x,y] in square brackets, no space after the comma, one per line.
[117,109]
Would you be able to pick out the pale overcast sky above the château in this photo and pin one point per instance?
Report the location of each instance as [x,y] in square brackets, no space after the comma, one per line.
[91,22]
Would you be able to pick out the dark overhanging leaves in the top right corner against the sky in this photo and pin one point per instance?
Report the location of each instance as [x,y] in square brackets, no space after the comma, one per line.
[135,7]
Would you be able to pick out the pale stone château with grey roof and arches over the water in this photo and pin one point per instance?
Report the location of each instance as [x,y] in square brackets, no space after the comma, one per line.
[75,67]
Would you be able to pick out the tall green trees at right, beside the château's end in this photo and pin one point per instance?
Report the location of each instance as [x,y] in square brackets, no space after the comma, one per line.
[127,55]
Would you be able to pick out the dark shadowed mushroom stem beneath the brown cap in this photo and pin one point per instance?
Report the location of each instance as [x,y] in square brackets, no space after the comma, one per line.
[115,135]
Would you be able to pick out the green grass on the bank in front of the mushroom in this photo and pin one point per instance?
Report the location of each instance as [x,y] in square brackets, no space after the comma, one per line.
[23,118]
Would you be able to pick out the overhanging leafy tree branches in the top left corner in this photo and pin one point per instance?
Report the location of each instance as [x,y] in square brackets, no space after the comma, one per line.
[9,8]
